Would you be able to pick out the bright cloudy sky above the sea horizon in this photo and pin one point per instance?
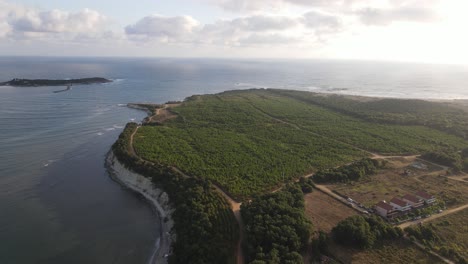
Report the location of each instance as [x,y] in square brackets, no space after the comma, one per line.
[430,31]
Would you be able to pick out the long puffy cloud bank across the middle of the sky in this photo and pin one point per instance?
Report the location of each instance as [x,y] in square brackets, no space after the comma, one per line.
[249,30]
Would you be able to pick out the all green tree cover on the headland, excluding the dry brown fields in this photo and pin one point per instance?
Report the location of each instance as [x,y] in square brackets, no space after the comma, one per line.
[254,143]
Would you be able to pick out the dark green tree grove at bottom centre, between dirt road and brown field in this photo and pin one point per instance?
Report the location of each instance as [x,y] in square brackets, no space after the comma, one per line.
[276,227]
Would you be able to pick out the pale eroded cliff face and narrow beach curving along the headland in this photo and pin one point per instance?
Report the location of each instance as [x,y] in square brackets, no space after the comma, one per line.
[158,199]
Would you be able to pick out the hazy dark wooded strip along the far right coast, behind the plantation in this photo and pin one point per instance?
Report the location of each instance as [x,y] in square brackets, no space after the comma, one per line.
[440,116]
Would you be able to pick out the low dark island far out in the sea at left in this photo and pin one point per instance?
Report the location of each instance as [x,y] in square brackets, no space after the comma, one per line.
[47,82]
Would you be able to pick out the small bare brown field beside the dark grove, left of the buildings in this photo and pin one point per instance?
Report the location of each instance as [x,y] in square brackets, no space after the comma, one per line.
[324,211]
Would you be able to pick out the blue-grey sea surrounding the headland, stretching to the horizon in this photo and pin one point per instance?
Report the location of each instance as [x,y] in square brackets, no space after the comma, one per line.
[57,203]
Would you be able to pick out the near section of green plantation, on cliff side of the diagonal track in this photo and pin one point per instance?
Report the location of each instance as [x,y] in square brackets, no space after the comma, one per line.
[225,139]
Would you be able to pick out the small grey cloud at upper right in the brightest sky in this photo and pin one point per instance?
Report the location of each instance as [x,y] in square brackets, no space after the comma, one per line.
[379,16]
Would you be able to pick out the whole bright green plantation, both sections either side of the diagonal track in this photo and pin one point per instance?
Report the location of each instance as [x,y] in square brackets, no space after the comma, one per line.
[252,141]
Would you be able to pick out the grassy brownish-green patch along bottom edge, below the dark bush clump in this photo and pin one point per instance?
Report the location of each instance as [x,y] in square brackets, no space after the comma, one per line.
[400,251]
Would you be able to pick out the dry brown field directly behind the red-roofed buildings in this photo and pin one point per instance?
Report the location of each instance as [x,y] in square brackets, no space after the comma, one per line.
[394,182]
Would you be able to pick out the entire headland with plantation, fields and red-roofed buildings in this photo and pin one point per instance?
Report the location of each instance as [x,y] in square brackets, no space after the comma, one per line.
[281,176]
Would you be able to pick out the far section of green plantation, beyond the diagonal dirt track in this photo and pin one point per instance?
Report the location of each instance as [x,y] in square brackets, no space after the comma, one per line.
[359,132]
